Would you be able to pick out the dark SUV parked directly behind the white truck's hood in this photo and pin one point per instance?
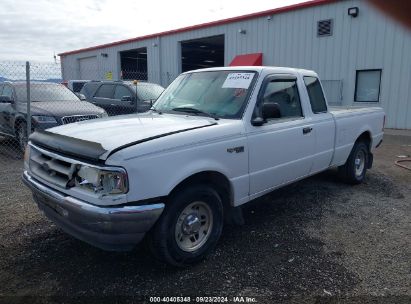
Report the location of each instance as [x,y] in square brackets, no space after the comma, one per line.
[122,97]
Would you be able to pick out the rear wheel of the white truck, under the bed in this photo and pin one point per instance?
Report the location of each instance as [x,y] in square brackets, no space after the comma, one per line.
[354,170]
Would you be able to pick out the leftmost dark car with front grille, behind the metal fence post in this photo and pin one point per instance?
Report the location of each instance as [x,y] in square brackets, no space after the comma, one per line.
[51,105]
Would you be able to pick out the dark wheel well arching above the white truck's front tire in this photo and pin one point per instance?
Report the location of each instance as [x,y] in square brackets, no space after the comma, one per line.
[216,179]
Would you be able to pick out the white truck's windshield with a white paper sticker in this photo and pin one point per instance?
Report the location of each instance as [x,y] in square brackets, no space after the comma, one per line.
[221,94]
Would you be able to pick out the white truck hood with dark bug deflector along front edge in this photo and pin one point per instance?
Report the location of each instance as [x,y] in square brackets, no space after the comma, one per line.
[99,138]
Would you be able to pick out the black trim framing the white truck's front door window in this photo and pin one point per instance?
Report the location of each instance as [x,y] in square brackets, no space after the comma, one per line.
[263,86]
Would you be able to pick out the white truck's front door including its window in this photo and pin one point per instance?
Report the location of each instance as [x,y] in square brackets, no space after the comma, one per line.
[280,150]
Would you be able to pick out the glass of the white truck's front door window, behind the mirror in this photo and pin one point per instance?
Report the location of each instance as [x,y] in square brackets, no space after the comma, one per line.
[284,93]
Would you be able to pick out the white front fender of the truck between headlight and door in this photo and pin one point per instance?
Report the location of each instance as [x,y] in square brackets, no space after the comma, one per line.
[157,175]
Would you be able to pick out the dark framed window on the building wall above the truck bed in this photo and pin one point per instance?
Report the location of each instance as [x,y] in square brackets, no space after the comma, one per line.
[367,86]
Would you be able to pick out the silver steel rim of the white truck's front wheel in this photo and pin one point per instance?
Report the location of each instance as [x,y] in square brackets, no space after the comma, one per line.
[193,227]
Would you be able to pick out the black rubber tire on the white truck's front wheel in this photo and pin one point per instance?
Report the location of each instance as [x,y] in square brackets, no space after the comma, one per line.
[163,239]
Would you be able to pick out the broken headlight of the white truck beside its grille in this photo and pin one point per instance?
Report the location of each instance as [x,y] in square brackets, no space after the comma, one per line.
[104,182]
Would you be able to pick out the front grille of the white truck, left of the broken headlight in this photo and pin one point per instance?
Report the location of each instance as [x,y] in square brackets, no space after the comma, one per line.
[50,167]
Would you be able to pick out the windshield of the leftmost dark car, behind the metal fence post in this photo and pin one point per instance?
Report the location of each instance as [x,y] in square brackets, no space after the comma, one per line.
[40,92]
